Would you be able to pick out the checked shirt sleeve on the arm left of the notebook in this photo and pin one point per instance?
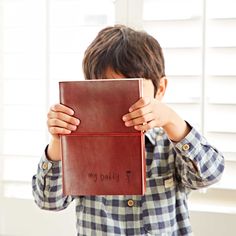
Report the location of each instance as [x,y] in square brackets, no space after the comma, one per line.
[47,186]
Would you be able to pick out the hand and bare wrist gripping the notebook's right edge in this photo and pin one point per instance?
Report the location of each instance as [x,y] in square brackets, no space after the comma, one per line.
[148,113]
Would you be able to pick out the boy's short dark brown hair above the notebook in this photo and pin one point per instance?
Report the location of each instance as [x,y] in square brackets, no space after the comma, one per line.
[134,54]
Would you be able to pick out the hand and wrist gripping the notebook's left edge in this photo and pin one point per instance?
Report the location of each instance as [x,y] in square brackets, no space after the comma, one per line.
[60,121]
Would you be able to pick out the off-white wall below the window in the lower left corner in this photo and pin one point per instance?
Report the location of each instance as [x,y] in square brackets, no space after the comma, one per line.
[24,218]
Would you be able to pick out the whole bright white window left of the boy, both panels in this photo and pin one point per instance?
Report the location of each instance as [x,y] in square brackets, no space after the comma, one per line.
[35,55]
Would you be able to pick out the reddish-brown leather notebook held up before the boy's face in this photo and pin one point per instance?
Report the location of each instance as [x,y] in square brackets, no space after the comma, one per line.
[103,156]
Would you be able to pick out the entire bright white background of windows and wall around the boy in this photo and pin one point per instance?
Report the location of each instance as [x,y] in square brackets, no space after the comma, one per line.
[43,41]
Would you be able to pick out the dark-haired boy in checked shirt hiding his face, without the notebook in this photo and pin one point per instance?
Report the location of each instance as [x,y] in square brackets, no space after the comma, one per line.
[178,158]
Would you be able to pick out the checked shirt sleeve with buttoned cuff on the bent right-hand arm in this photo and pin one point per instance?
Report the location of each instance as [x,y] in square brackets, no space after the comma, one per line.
[198,163]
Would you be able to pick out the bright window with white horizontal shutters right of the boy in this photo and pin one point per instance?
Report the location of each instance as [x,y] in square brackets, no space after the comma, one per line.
[199,41]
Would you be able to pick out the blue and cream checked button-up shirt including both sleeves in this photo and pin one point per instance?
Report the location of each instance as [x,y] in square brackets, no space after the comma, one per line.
[173,169]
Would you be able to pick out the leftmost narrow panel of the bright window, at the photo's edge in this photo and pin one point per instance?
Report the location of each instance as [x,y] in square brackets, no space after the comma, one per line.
[23,94]
